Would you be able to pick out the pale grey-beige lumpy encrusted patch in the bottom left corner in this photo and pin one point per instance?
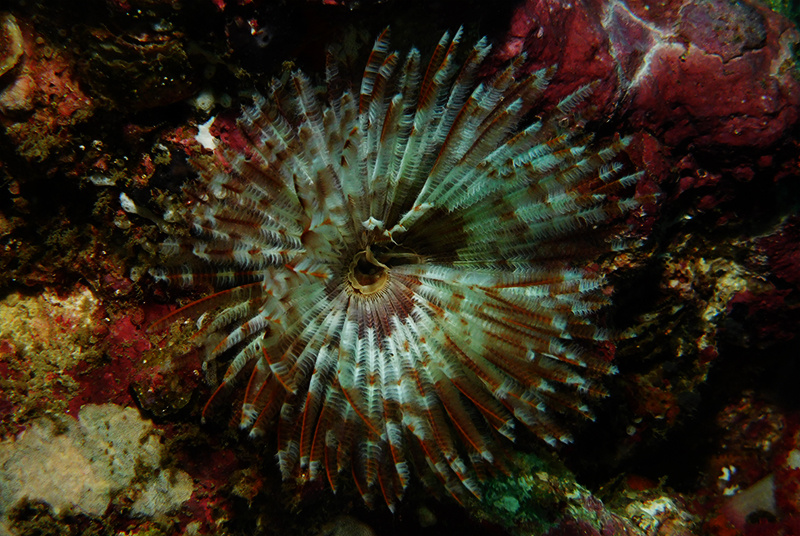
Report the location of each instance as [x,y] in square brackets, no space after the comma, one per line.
[108,453]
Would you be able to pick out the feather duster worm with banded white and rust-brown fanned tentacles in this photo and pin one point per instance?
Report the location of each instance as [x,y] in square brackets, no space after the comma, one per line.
[399,269]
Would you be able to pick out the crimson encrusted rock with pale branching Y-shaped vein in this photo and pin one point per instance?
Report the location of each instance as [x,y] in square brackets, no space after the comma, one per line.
[714,72]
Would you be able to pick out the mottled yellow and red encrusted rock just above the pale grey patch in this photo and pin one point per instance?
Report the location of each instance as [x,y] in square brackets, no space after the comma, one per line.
[61,350]
